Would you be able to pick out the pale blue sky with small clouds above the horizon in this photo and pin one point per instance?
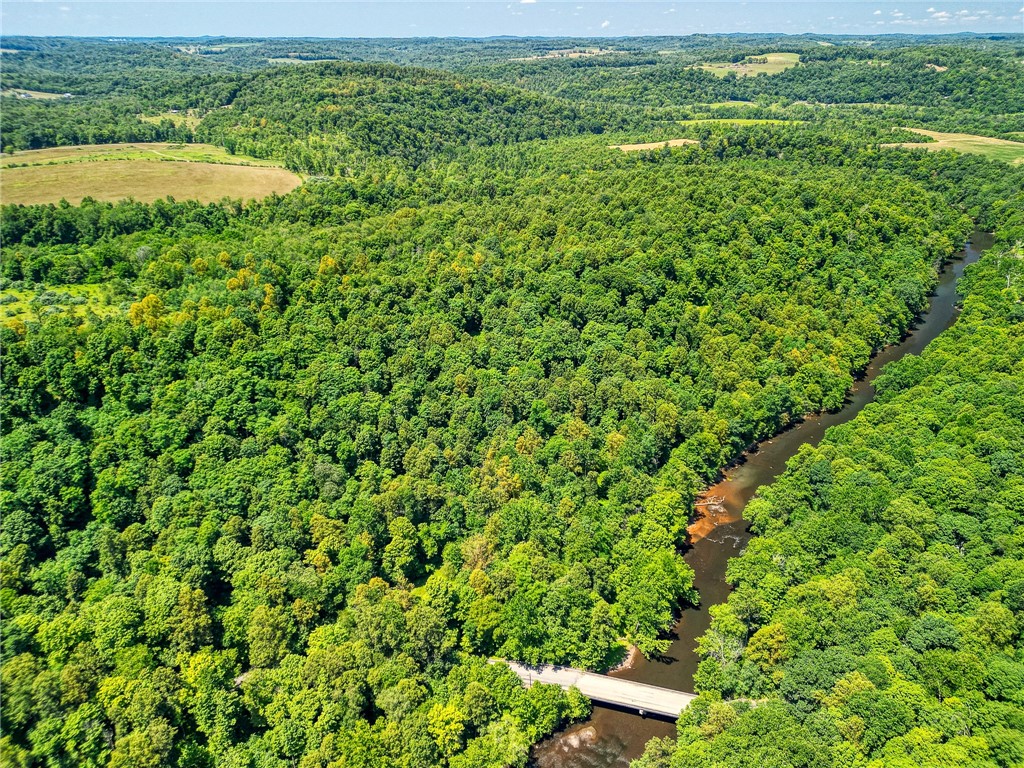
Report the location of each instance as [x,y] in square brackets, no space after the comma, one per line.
[492,18]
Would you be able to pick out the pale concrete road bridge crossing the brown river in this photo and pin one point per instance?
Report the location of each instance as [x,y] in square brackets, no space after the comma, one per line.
[648,700]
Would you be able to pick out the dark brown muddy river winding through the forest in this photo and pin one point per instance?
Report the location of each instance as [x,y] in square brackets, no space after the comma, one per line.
[612,738]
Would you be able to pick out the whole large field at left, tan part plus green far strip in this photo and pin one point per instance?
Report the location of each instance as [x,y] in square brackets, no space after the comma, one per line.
[145,173]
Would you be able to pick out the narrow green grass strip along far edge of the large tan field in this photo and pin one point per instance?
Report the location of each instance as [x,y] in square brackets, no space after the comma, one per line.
[142,151]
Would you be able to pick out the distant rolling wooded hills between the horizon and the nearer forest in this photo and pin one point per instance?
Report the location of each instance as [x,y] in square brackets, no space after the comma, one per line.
[346,103]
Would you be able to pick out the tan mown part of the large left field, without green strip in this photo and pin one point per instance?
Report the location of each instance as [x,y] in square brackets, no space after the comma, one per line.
[145,181]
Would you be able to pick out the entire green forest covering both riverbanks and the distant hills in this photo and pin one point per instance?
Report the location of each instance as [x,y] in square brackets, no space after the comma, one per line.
[454,399]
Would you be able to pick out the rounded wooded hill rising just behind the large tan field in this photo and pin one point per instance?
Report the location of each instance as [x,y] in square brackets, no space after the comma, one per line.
[326,118]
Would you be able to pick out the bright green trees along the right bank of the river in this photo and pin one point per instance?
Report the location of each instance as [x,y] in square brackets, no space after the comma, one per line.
[878,615]
